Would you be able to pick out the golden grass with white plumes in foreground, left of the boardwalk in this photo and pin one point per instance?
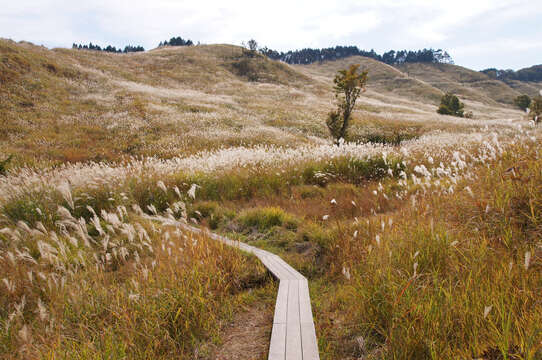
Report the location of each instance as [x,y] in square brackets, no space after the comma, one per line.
[122,284]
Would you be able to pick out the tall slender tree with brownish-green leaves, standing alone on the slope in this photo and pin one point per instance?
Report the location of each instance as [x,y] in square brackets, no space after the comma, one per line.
[349,84]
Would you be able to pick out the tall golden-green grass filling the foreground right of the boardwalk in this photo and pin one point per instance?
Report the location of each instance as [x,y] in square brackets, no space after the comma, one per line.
[452,277]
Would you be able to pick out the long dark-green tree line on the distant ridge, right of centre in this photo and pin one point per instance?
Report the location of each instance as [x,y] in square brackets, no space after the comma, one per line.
[392,57]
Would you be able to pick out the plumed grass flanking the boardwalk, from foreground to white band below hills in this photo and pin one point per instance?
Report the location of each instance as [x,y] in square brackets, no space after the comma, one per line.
[435,257]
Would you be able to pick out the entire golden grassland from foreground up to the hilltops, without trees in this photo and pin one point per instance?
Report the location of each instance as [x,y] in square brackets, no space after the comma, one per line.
[421,237]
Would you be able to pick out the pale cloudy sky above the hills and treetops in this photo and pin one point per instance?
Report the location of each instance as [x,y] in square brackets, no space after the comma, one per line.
[478,34]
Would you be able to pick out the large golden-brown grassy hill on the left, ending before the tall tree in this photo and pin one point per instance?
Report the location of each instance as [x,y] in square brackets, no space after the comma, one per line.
[144,103]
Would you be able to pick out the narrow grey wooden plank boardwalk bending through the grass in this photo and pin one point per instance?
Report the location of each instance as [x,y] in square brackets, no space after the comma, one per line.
[293,336]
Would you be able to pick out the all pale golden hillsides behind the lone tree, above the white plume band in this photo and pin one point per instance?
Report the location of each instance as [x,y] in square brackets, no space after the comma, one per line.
[66,105]
